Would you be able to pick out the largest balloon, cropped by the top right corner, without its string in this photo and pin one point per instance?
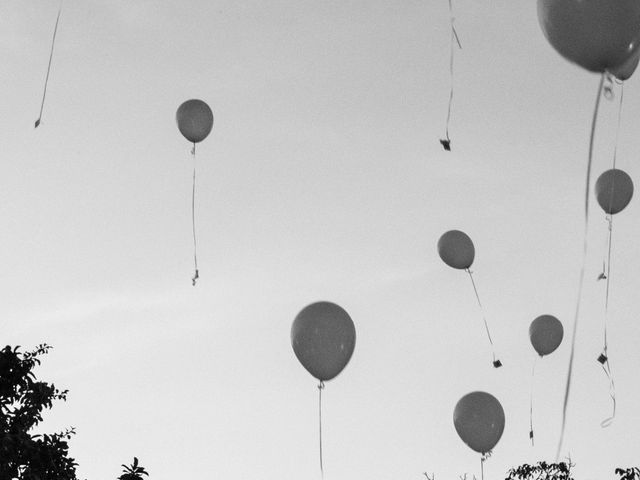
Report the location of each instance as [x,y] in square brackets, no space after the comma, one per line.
[599,35]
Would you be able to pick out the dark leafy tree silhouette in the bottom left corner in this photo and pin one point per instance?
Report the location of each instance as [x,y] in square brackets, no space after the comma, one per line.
[24,455]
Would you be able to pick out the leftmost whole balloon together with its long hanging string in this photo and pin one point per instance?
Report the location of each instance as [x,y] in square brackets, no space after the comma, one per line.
[195,121]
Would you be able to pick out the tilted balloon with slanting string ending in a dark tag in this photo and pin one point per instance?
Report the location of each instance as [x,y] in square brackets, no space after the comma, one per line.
[457,251]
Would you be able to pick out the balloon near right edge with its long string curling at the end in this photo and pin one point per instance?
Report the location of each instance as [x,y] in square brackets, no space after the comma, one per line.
[614,189]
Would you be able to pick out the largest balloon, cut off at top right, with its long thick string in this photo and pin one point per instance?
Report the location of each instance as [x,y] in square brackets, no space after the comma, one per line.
[604,37]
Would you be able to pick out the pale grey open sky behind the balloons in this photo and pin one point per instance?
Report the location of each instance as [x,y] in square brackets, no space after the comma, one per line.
[323,179]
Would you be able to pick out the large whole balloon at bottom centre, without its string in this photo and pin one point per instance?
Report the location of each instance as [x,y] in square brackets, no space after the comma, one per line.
[323,338]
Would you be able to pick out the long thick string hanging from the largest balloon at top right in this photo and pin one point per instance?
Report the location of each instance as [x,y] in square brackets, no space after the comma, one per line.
[584,257]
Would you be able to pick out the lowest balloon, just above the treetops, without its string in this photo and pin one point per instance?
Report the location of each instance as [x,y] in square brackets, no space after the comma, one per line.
[479,421]
